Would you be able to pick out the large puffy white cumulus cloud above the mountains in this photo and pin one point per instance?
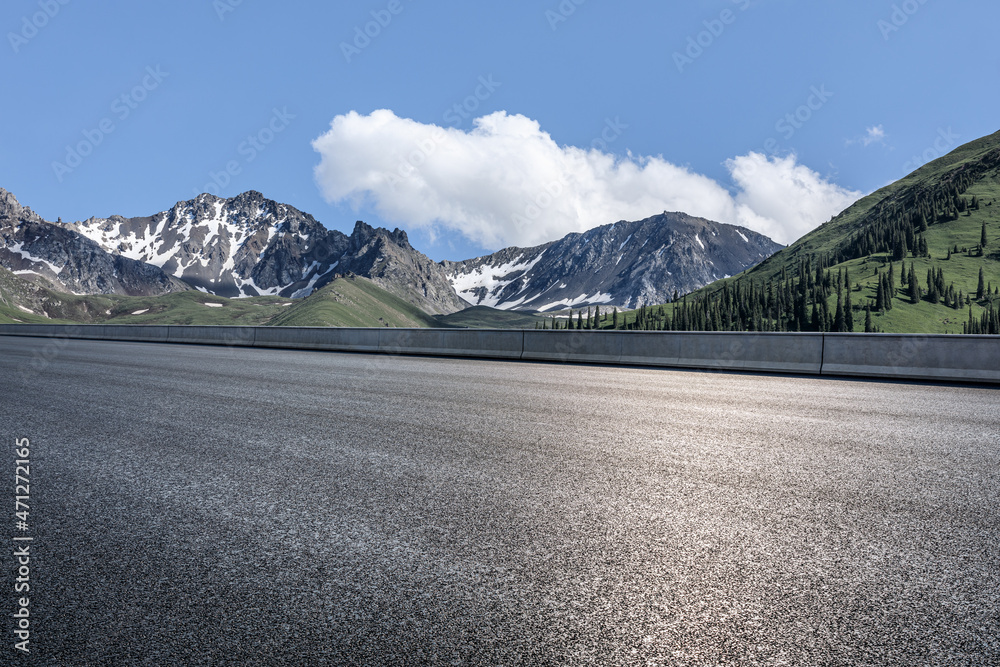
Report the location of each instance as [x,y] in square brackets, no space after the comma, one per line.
[507,182]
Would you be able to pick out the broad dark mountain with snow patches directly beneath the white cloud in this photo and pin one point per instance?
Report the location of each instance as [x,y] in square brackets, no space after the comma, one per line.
[625,264]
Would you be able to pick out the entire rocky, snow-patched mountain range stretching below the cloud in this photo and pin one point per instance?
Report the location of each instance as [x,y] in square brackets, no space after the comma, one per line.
[251,246]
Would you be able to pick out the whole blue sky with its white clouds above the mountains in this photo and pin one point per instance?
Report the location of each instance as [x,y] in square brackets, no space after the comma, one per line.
[593,111]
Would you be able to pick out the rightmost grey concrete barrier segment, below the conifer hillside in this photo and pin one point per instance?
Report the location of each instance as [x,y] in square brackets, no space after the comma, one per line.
[916,357]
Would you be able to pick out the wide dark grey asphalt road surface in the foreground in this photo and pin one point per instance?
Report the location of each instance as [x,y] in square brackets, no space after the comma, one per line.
[199,505]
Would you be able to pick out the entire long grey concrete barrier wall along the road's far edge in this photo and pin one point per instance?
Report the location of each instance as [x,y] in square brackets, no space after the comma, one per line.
[899,356]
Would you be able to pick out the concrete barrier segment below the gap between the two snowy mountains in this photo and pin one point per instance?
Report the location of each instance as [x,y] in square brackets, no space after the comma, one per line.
[482,343]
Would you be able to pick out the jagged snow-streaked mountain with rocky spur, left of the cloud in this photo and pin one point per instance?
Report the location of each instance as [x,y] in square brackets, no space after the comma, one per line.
[253,246]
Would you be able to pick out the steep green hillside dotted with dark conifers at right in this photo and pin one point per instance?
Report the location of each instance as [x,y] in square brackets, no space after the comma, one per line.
[932,220]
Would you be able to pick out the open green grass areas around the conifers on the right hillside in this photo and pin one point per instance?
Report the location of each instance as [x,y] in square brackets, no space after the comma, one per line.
[961,270]
